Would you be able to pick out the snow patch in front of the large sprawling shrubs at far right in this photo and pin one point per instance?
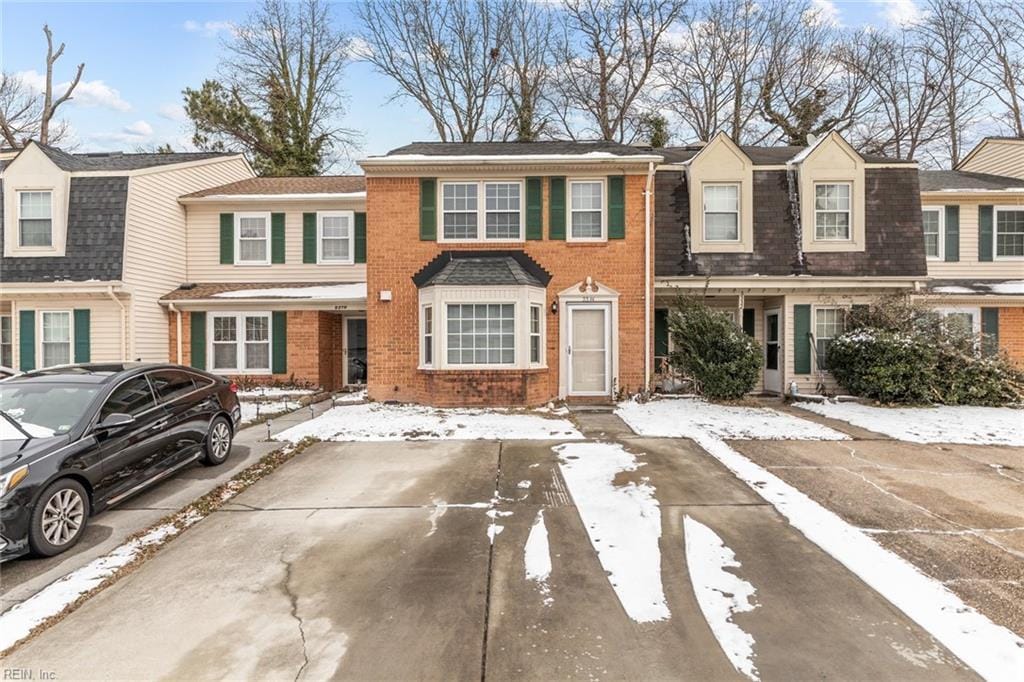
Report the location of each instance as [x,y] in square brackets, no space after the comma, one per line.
[961,424]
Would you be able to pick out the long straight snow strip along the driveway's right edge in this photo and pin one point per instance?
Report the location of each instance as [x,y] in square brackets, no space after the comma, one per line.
[994,652]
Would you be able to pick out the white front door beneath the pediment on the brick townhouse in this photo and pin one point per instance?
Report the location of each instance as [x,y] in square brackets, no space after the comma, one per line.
[588,350]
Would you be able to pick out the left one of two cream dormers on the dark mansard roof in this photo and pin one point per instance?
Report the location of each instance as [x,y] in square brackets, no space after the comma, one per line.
[721,186]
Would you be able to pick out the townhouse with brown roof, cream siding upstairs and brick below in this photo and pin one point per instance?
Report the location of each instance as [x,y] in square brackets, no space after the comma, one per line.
[274,287]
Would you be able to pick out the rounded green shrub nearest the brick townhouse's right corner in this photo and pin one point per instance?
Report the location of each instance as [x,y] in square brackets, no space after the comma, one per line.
[711,351]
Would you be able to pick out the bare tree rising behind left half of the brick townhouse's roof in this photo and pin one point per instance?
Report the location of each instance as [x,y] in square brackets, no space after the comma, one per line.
[445,56]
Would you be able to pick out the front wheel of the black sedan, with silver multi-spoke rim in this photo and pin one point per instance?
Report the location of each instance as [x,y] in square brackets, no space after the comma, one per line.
[59,519]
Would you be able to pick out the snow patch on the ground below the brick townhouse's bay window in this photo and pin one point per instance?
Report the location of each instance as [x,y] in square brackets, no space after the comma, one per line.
[375,421]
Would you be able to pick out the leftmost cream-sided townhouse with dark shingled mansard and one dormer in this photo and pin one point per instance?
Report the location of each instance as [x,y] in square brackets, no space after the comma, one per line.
[91,243]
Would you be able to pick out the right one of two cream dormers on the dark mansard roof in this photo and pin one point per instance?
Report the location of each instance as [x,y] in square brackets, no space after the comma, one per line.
[832,196]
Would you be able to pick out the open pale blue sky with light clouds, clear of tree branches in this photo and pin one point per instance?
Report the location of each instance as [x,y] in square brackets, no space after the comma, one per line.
[140,57]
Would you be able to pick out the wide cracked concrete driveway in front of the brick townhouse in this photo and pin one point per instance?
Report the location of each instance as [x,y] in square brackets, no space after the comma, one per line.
[374,562]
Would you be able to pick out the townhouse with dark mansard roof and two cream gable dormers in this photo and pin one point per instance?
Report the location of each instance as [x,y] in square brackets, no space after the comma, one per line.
[785,239]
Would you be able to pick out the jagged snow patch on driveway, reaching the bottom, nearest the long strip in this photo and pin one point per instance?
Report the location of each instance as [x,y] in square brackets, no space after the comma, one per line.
[720,593]
